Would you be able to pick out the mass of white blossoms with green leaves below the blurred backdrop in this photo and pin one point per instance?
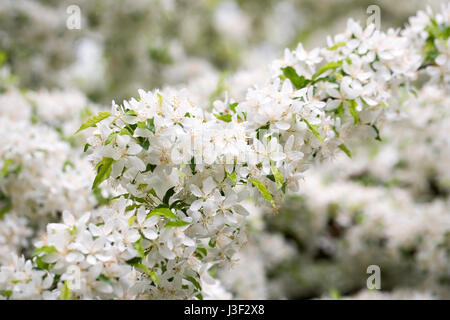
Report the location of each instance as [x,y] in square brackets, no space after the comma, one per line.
[154,198]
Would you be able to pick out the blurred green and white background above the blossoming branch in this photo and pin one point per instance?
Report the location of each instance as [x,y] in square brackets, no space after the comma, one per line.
[126,45]
